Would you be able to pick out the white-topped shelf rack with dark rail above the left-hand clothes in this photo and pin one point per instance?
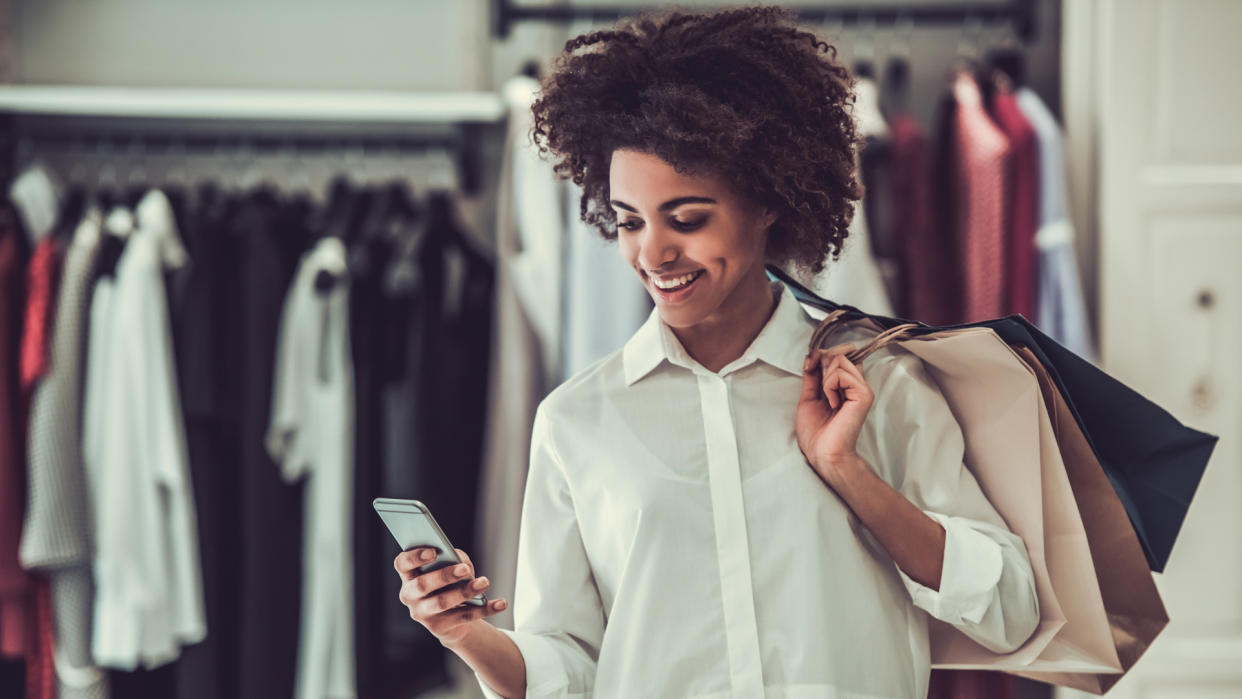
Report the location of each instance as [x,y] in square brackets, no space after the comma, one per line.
[135,124]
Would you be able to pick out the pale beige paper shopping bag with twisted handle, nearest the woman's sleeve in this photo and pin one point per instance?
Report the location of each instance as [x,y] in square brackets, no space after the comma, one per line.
[1013,451]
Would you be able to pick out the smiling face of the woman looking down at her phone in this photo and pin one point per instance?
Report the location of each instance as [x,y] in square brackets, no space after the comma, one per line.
[697,248]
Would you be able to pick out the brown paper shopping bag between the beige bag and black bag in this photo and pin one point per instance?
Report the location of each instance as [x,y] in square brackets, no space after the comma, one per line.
[1132,603]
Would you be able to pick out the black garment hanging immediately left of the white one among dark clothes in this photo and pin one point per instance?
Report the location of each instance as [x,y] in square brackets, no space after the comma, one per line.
[265,241]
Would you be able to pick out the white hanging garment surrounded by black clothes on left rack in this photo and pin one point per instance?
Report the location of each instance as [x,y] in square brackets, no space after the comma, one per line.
[311,438]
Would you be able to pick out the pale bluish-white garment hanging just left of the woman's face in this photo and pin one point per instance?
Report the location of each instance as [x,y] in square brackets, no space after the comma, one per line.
[604,305]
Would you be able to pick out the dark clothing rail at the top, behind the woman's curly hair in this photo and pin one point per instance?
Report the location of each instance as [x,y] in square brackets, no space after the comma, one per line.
[1019,13]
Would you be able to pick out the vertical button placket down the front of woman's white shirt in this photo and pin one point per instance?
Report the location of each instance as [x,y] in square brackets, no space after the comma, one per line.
[733,547]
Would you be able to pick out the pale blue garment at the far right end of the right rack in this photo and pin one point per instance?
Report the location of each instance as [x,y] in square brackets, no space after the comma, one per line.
[1061,311]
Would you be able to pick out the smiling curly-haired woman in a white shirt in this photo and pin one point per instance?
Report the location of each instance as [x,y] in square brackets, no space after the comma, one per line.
[710,511]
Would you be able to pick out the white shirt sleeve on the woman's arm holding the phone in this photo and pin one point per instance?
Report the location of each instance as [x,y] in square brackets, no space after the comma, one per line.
[558,616]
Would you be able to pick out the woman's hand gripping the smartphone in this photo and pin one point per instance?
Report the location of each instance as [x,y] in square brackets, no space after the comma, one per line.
[437,599]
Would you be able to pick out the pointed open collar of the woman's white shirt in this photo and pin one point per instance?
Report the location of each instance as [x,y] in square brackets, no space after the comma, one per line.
[782,343]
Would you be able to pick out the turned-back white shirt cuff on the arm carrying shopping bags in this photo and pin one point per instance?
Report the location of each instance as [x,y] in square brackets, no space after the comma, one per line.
[969,577]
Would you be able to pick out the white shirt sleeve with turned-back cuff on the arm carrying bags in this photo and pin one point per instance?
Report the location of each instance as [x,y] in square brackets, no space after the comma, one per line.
[987,588]
